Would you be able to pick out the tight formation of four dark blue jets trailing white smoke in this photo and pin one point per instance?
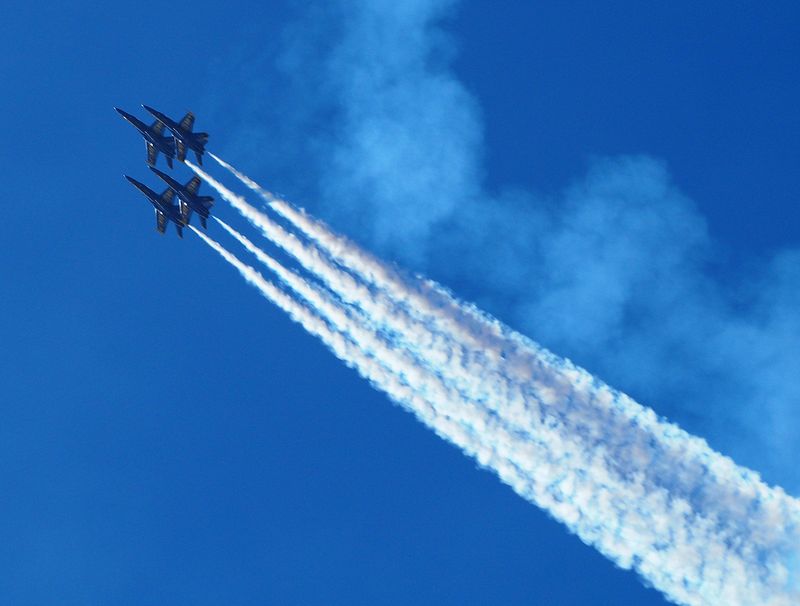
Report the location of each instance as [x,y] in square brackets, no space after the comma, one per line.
[175,146]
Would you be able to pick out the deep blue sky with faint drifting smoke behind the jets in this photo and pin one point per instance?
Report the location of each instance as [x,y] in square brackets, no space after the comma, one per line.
[169,437]
